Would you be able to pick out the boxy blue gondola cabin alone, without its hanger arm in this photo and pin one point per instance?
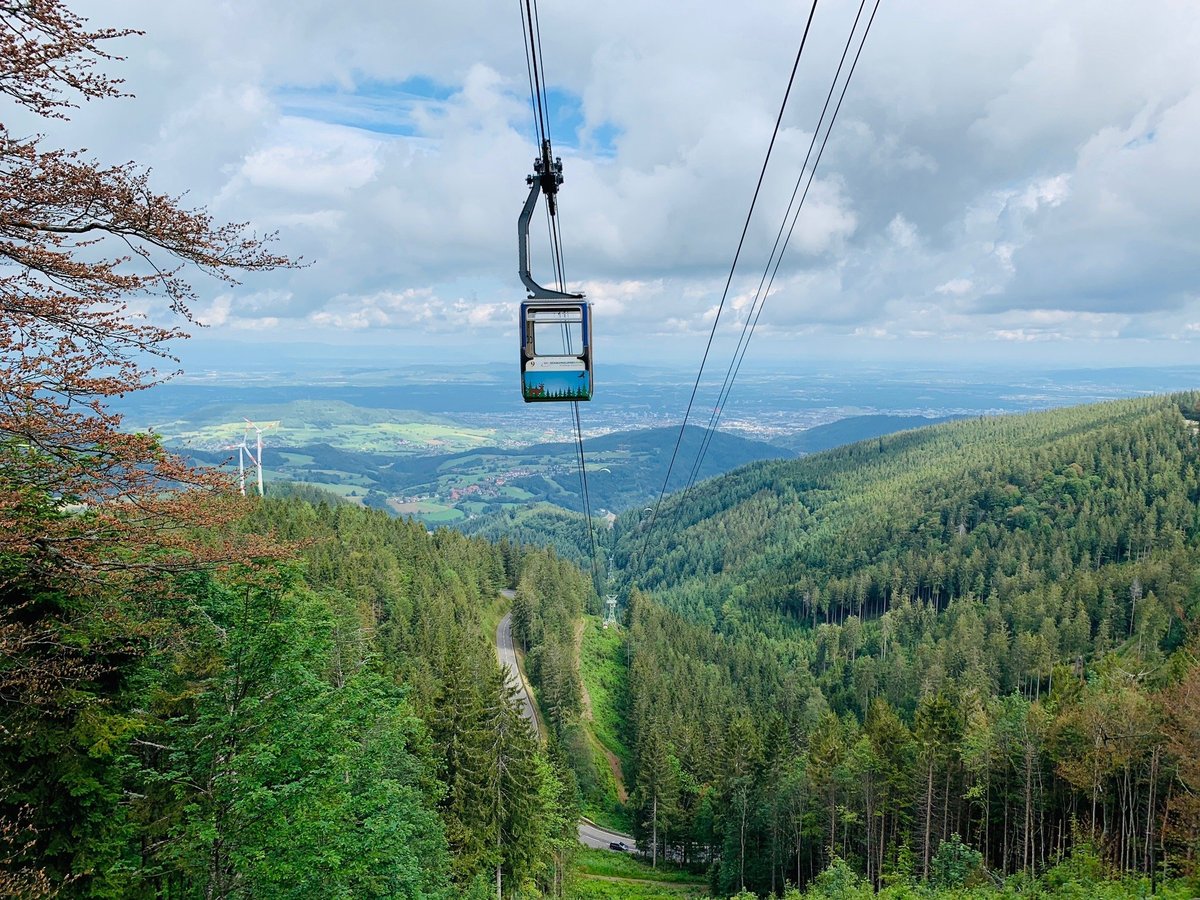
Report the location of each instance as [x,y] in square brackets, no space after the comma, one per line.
[556,351]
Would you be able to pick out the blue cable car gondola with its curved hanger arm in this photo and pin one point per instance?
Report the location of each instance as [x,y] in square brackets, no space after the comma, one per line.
[556,327]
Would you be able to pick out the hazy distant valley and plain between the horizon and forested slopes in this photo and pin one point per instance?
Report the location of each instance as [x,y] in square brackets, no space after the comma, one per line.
[455,446]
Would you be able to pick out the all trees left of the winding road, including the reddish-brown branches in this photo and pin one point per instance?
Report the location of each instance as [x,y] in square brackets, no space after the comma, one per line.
[203,695]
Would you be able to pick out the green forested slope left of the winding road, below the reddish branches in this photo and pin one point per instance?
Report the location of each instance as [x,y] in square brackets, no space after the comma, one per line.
[328,721]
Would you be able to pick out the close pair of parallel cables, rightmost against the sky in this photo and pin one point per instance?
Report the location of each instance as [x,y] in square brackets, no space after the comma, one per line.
[793,213]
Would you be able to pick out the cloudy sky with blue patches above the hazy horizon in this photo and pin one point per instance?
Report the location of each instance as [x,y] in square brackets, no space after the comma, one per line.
[1012,182]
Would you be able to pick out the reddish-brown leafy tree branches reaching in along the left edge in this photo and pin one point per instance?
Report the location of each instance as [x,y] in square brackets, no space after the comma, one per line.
[88,254]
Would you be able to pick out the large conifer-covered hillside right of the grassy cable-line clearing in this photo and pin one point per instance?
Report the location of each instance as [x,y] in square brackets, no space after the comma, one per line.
[980,629]
